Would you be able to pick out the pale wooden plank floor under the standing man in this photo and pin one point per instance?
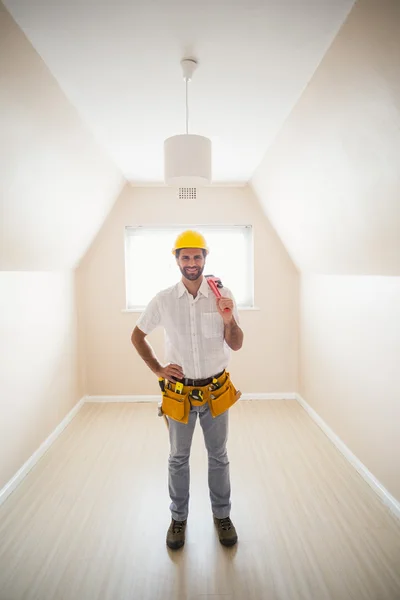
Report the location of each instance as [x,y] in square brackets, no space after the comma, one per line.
[89,521]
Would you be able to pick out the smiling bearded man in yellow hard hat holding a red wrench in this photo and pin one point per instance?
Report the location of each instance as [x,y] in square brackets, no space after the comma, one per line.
[200,331]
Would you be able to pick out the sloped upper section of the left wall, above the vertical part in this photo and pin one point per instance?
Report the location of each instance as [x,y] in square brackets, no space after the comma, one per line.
[56,184]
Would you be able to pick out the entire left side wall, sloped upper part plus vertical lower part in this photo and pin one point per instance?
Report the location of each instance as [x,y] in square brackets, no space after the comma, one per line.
[56,188]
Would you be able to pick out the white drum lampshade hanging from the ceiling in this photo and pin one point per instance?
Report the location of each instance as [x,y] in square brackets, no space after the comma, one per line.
[187,160]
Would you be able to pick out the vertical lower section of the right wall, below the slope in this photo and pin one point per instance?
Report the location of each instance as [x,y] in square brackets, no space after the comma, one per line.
[350,365]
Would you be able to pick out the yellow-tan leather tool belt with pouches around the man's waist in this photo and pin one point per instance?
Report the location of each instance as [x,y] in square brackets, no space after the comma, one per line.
[219,392]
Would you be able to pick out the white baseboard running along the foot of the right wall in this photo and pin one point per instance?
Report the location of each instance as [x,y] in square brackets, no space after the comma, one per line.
[382,492]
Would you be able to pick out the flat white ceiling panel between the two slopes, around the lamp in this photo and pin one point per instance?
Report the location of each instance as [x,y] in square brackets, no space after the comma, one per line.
[118,63]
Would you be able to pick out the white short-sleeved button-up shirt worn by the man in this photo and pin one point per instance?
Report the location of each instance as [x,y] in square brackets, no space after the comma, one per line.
[194,330]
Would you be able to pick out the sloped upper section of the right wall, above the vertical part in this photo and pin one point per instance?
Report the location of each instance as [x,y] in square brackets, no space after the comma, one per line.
[330,183]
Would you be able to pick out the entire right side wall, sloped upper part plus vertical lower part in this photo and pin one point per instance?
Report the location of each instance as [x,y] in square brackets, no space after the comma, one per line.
[330,185]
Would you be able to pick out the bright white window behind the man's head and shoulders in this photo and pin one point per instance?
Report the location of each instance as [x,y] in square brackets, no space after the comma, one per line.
[150,265]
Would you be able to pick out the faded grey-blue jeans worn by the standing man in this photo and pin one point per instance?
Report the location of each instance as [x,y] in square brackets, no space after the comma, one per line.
[215,432]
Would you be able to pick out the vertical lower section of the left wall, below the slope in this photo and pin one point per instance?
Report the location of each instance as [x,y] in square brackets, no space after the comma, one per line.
[38,367]
